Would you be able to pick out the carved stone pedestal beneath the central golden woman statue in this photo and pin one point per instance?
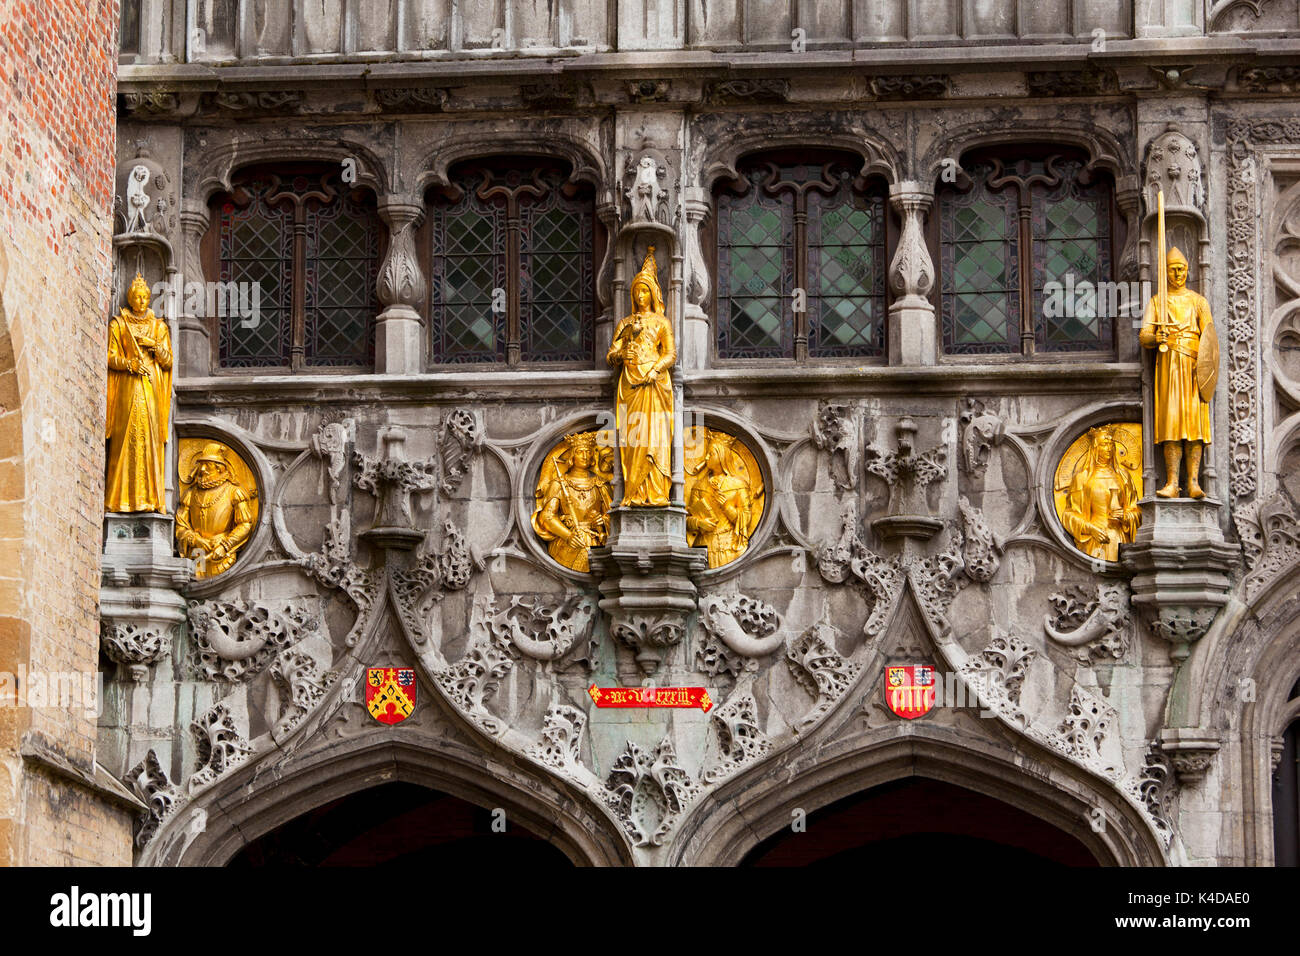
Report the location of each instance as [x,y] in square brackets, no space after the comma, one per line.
[647,574]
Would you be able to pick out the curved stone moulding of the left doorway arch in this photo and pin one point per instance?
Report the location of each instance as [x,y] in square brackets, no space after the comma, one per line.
[237,811]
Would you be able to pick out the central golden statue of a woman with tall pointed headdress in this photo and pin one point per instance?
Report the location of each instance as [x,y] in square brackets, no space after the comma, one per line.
[644,347]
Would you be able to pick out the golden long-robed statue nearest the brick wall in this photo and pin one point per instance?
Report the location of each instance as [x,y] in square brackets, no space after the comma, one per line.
[140,405]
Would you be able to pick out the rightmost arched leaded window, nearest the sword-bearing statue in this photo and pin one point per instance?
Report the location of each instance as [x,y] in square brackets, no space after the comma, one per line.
[1026,257]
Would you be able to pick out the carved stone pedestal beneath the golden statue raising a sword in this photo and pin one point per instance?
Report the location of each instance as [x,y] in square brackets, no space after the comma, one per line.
[1181,568]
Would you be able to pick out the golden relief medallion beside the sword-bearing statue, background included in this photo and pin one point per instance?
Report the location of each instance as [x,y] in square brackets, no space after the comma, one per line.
[1098,490]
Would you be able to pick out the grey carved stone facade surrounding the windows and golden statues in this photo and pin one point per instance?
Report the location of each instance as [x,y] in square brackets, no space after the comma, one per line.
[1133,704]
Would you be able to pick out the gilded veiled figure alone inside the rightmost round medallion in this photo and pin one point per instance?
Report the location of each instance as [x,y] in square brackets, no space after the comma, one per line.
[1100,498]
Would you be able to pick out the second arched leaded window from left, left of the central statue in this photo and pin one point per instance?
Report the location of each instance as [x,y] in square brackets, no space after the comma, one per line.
[512,252]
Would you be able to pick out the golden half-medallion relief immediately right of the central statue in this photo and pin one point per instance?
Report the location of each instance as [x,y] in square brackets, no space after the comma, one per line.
[725,495]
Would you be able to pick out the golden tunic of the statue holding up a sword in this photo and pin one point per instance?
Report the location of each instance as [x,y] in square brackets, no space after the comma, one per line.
[1181,414]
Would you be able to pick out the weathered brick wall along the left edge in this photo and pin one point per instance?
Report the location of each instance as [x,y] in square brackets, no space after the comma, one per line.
[58,141]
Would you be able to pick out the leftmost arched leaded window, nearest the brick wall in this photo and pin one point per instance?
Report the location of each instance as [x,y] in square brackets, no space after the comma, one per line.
[296,256]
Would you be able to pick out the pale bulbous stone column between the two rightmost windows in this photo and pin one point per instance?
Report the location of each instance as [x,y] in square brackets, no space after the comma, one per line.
[912,330]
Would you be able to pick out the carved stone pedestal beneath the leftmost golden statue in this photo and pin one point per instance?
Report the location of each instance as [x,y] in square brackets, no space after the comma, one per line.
[140,599]
